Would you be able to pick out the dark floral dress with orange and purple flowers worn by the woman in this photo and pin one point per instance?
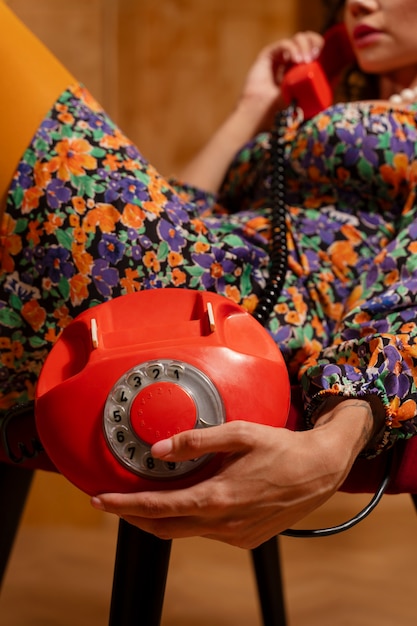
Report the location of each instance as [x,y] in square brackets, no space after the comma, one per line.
[89,219]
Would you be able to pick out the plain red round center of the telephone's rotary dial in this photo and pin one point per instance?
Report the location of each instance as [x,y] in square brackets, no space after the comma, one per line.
[162,410]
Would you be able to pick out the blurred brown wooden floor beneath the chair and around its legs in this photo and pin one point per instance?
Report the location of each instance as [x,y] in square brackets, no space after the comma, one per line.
[61,576]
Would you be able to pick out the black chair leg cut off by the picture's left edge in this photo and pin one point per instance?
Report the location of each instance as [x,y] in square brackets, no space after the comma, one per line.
[14,488]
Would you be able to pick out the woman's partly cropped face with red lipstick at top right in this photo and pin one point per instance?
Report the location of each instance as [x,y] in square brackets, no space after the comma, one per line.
[384,35]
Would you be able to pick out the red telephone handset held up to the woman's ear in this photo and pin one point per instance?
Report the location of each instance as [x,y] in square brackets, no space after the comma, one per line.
[310,85]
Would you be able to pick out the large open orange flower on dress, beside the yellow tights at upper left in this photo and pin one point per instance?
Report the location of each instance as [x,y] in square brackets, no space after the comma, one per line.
[73,158]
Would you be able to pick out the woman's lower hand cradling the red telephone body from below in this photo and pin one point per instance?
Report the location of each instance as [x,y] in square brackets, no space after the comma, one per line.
[270,478]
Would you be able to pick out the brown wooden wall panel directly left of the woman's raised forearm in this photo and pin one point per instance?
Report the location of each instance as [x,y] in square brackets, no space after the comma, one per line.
[182,65]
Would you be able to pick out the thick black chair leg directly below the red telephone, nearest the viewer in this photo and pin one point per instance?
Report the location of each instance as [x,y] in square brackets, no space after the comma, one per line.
[140,574]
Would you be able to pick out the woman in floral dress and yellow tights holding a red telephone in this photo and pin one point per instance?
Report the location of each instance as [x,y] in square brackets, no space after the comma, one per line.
[88,219]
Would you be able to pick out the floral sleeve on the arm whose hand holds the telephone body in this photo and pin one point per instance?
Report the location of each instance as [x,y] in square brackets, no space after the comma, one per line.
[374,350]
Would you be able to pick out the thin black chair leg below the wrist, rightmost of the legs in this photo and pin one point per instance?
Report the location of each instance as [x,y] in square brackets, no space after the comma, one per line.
[266,561]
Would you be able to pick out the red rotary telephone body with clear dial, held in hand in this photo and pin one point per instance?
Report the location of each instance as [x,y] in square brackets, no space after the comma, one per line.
[142,367]
